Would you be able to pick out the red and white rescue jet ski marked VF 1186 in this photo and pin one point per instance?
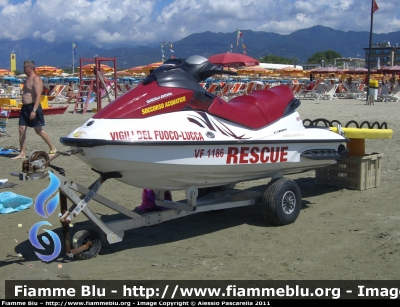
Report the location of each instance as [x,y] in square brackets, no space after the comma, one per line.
[169,133]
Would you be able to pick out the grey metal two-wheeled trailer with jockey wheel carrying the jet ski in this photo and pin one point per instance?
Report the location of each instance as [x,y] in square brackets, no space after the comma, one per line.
[280,204]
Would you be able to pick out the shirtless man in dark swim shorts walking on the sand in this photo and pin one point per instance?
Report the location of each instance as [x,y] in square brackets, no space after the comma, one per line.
[31,114]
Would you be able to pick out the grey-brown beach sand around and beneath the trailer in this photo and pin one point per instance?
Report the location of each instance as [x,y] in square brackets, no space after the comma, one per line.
[340,234]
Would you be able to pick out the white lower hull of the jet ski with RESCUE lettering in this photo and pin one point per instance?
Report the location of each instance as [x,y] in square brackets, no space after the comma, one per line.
[150,156]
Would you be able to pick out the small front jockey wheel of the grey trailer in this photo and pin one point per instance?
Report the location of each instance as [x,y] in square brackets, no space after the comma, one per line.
[83,237]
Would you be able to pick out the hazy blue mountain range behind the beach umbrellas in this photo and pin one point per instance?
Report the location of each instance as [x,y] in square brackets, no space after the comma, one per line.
[300,44]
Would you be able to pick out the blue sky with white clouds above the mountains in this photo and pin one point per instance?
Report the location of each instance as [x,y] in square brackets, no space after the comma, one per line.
[153,21]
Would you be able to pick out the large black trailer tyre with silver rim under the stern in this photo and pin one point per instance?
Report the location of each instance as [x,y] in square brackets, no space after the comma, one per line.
[281,202]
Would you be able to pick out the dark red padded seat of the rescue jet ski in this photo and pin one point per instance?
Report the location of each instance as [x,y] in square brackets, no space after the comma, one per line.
[256,110]
